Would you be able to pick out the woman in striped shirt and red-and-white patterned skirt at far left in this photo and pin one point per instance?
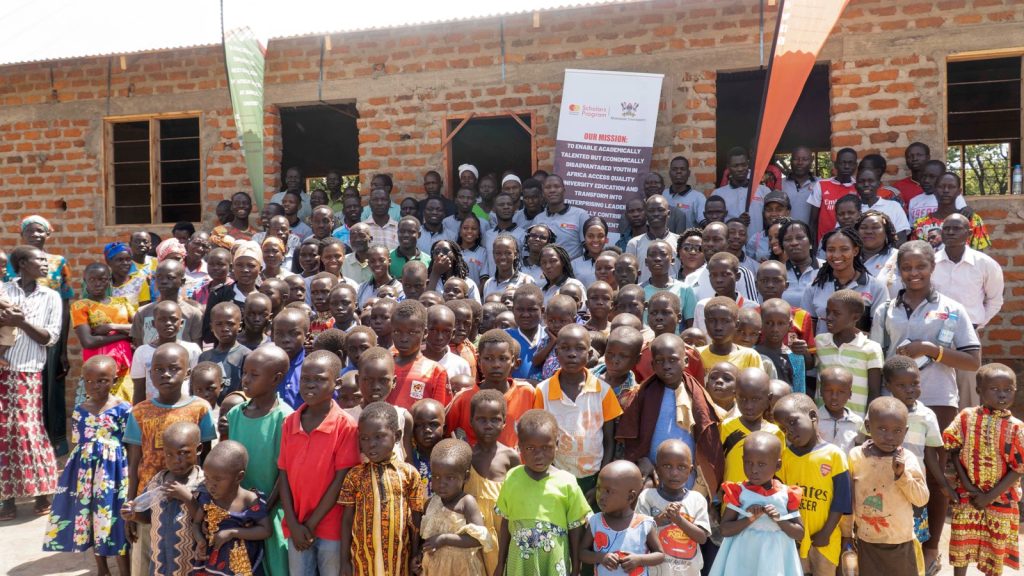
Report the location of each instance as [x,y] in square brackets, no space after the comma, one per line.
[29,464]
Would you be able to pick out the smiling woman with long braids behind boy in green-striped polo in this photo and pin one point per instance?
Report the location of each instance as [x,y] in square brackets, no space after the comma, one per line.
[843,270]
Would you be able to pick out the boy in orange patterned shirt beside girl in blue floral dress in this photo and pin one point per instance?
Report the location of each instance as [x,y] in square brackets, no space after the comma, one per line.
[149,419]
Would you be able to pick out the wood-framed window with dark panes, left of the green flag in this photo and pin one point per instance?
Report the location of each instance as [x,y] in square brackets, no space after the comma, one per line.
[154,173]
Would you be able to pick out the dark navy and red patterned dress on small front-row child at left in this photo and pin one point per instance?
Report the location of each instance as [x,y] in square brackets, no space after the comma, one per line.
[236,557]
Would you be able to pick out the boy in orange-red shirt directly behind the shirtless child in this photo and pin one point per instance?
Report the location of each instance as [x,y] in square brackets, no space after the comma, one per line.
[499,357]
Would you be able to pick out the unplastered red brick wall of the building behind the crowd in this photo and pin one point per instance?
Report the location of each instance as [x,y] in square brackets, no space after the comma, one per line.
[888,76]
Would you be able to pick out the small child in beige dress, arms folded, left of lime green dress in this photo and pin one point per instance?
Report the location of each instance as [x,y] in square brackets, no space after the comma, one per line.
[453,530]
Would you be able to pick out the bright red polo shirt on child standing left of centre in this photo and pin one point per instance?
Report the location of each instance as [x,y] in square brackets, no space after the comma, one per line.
[312,461]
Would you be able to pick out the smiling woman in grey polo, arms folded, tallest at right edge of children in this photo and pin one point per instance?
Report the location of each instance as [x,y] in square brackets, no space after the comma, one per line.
[912,324]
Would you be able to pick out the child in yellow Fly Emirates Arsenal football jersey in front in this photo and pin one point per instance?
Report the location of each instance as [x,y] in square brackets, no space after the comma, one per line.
[821,470]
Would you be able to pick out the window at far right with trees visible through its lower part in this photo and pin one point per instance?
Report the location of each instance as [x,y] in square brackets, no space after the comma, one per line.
[985,122]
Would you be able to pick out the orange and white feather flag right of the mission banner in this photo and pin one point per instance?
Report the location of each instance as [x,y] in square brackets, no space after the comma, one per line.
[802,29]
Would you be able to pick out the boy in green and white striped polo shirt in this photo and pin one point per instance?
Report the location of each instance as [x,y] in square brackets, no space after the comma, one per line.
[846,346]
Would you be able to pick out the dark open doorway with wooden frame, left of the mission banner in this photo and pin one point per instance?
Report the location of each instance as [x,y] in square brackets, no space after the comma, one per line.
[493,144]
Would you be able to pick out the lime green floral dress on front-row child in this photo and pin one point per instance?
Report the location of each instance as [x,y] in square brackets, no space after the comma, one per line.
[540,514]
